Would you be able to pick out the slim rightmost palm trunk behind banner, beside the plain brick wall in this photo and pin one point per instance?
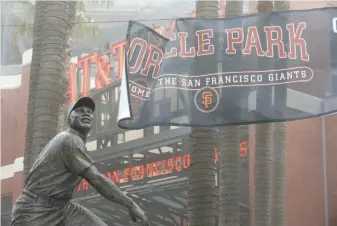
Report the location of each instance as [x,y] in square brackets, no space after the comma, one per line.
[278,168]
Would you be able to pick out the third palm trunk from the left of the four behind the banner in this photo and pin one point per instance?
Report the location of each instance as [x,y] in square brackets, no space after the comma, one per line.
[262,175]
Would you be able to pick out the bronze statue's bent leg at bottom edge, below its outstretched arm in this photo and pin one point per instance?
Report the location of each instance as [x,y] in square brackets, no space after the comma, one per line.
[81,216]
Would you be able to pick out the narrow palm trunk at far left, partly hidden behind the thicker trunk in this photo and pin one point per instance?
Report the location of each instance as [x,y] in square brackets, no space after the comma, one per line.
[34,74]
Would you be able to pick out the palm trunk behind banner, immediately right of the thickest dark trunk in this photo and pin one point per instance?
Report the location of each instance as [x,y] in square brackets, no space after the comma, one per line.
[229,157]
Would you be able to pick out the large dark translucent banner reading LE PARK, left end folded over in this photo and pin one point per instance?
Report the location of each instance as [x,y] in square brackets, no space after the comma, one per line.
[209,72]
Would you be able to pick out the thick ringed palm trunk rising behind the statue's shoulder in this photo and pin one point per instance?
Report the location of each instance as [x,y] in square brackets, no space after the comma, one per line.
[51,86]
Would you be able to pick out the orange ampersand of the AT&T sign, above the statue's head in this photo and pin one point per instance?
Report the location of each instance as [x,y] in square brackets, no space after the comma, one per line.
[103,70]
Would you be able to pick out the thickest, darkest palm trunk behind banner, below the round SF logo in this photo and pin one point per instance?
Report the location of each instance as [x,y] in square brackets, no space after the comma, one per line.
[201,201]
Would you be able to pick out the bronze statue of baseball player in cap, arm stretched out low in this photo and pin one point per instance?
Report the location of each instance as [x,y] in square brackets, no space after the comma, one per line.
[62,164]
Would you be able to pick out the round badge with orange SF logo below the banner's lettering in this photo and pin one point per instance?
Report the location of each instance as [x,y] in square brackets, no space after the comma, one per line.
[206,99]
